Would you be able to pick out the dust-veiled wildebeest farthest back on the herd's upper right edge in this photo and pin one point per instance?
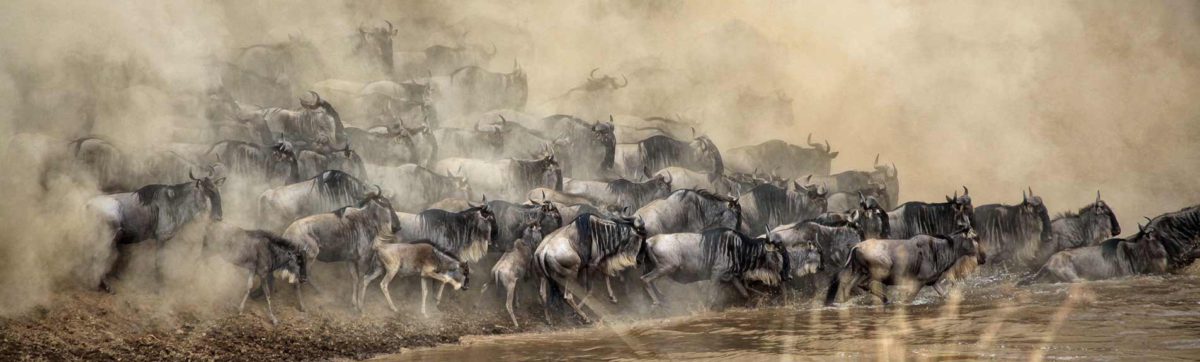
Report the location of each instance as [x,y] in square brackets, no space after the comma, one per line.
[791,161]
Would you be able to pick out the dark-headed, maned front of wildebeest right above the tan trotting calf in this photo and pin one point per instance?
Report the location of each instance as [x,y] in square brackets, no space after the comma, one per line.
[459,232]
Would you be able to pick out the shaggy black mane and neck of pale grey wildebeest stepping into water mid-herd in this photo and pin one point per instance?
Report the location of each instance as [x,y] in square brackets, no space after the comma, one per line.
[736,252]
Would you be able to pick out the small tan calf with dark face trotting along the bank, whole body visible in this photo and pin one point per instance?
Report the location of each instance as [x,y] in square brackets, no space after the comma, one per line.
[417,258]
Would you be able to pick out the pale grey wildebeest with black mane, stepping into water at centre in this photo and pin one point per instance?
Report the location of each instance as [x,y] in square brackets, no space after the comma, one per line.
[721,255]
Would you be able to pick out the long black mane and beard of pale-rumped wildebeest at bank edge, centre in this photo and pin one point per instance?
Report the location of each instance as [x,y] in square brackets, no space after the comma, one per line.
[605,243]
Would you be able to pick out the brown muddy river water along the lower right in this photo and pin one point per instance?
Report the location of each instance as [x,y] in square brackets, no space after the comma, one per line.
[1145,318]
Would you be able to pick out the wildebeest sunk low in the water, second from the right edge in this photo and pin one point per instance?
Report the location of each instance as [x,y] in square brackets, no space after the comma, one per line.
[1141,255]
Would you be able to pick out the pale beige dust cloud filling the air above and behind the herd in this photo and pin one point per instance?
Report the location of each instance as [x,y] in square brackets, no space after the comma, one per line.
[1067,98]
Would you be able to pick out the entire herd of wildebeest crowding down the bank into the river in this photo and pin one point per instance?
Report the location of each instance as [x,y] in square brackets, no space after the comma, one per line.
[560,203]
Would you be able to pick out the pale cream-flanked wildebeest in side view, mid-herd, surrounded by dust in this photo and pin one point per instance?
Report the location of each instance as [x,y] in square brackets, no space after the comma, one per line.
[507,179]
